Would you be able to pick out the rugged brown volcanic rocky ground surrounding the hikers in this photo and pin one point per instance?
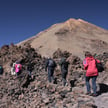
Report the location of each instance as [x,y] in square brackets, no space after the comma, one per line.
[22,92]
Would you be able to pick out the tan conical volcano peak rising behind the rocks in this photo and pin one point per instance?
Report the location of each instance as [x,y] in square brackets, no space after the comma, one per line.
[73,35]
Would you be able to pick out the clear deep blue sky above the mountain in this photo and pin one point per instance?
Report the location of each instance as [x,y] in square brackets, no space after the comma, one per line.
[21,19]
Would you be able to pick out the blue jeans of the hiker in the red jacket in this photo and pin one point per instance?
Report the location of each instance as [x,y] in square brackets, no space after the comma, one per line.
[87,79]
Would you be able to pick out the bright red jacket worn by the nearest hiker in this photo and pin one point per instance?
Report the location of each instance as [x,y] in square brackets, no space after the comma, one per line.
[90,65]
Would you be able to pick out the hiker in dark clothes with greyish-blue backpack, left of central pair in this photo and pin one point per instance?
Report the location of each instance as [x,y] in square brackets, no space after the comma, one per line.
[50,67]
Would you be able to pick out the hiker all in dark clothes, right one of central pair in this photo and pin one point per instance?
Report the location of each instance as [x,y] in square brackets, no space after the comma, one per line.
[64,69]
